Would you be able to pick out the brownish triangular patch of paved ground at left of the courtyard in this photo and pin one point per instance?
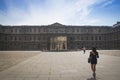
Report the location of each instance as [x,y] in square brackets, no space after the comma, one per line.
[11,58]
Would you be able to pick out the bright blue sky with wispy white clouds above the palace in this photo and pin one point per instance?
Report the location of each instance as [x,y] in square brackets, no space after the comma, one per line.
[68,12]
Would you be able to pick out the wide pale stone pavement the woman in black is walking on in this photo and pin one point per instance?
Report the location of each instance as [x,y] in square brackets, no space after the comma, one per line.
[63,66]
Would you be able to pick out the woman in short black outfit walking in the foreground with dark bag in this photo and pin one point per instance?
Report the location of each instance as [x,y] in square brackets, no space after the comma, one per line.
[93,60]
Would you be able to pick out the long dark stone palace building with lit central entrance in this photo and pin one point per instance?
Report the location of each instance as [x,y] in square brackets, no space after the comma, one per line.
[59,37]
